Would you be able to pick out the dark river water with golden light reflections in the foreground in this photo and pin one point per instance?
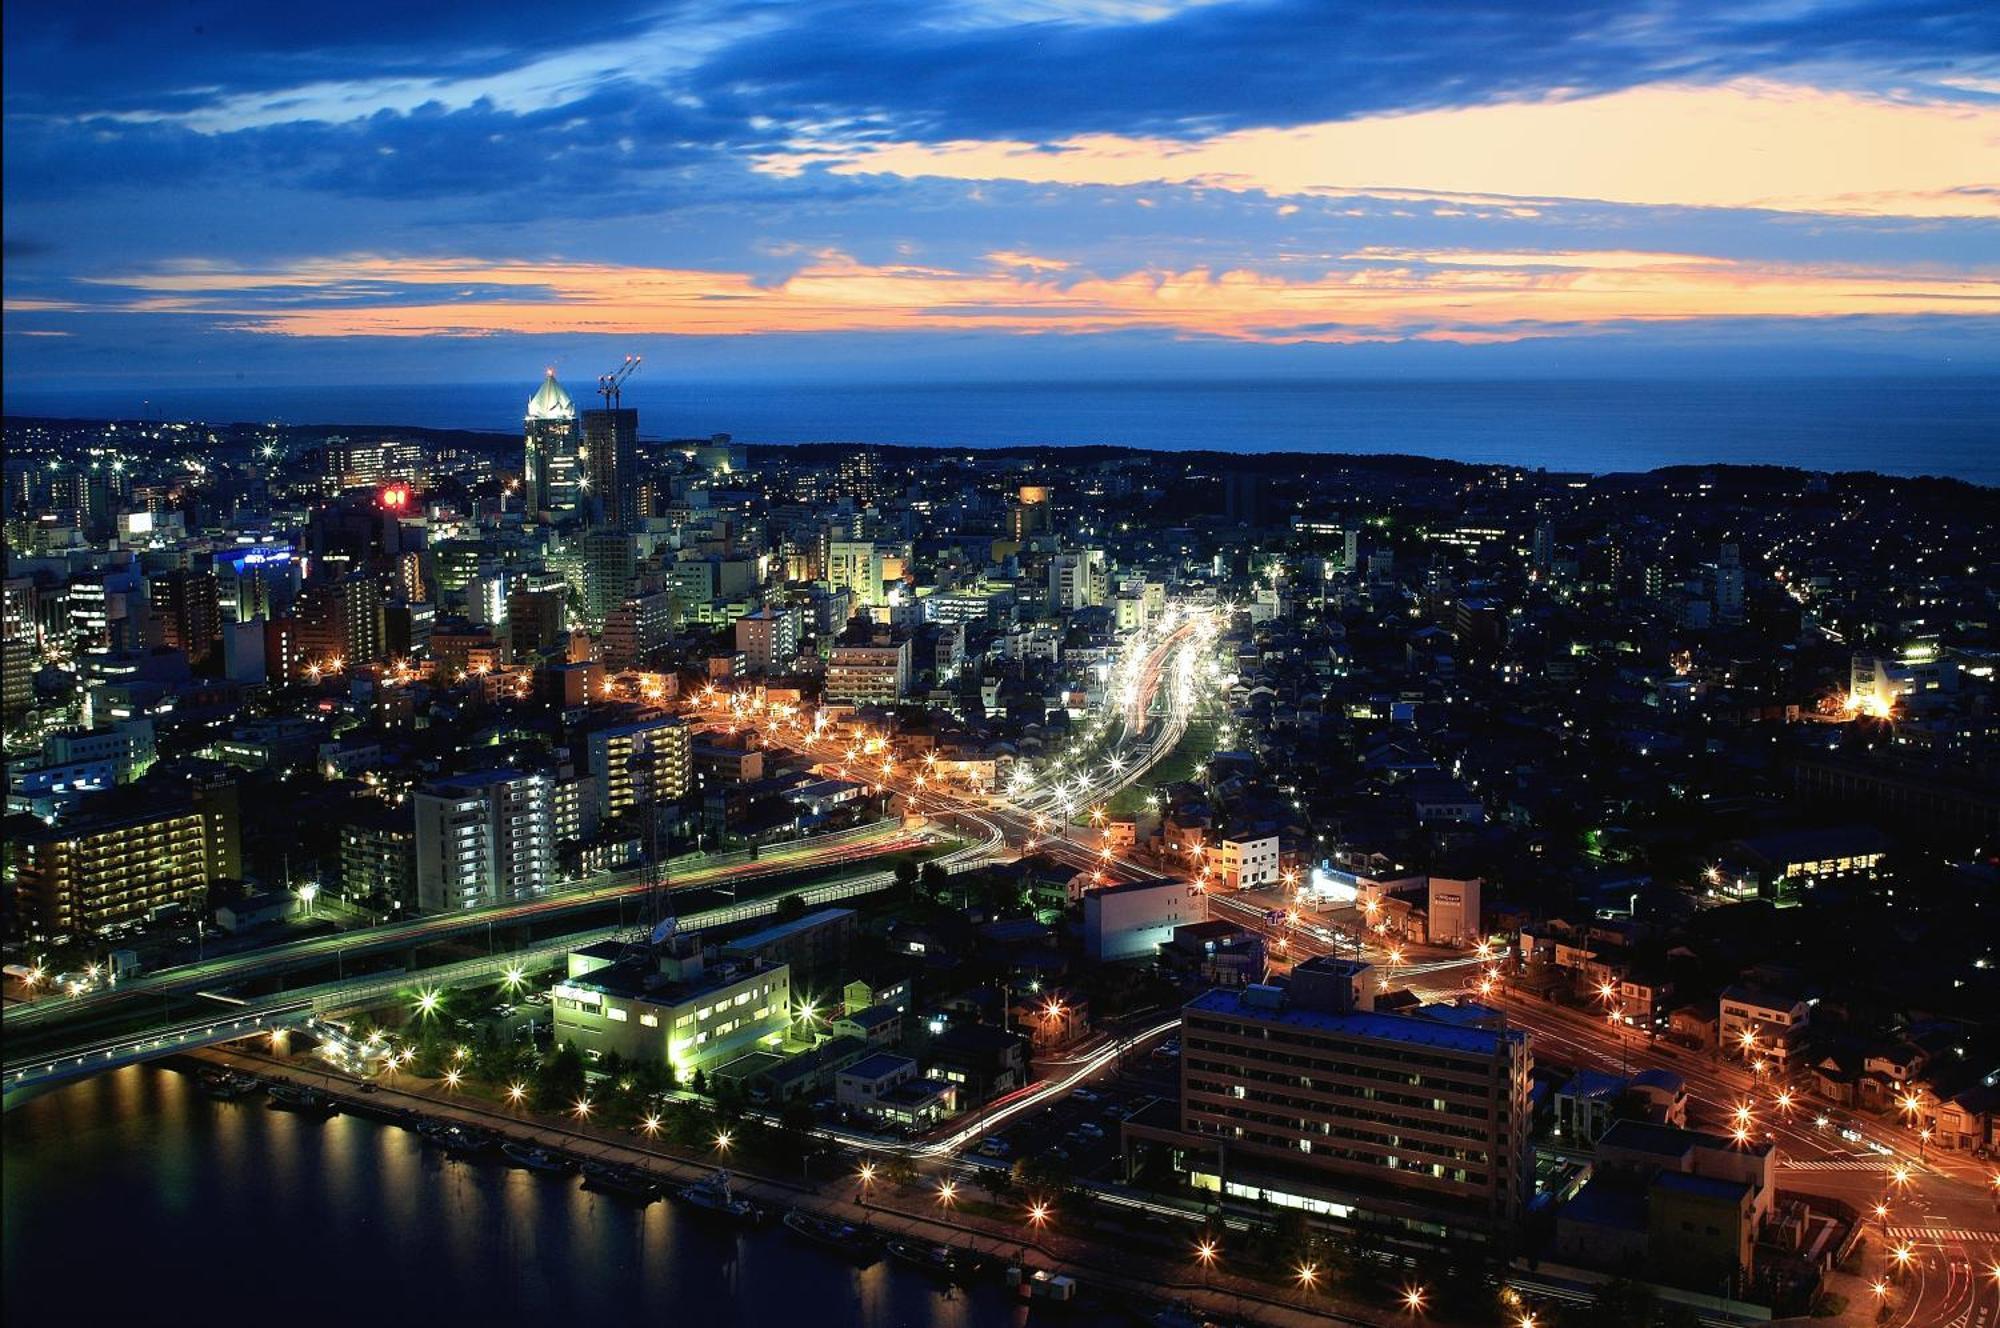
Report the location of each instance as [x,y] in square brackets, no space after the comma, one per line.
[137,1199]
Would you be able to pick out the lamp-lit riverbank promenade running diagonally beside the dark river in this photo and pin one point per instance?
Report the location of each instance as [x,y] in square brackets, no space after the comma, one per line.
[1095,1267]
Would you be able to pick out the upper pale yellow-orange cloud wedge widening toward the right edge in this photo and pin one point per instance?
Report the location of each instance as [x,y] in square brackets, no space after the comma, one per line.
[1747,145]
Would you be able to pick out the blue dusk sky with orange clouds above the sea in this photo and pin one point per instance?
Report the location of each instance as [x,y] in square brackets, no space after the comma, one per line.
[373,193]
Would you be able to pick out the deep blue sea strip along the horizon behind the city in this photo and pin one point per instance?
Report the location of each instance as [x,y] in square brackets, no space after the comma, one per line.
[1943,427]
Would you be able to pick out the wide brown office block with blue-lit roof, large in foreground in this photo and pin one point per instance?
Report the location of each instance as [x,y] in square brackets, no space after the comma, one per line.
[1311,1099]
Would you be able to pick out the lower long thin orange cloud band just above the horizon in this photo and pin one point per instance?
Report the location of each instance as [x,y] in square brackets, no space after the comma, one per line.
[1381,295]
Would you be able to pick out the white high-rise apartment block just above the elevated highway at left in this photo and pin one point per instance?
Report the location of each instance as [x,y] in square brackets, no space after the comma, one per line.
[483,839]
